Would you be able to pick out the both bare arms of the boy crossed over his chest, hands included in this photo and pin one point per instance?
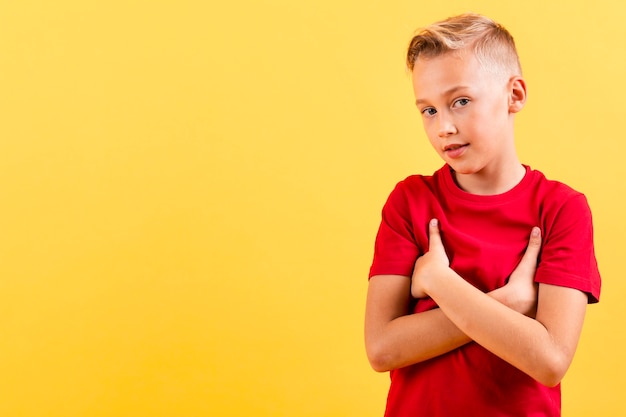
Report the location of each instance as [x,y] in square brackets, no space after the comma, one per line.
[536,329]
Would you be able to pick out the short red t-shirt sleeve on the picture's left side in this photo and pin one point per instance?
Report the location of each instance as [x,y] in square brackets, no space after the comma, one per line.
[395,249]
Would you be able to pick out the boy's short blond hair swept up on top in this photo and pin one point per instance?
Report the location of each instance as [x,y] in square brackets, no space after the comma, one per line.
[491,43]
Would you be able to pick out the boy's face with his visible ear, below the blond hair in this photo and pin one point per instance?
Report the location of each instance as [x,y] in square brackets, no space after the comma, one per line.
[467,112]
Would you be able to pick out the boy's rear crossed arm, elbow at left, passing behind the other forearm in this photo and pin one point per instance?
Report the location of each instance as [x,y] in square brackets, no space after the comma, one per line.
[394,338]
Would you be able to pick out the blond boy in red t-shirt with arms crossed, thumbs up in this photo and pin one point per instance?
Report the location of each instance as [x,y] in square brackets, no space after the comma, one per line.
[482,271]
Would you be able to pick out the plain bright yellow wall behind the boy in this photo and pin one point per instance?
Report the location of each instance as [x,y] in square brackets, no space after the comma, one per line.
[190,190]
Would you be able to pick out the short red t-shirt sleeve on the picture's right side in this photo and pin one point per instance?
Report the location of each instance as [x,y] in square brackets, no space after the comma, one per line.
[568,256]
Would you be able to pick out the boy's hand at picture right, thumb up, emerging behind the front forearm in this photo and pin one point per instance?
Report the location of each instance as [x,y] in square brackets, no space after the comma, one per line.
[520,293]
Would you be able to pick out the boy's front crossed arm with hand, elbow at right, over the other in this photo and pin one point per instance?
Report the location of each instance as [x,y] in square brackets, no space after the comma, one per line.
[543,347]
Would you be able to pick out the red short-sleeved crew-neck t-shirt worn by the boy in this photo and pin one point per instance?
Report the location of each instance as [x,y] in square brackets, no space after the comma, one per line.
[485,238]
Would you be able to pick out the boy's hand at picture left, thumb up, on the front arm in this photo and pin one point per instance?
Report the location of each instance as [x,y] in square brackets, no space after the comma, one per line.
[431,264]
